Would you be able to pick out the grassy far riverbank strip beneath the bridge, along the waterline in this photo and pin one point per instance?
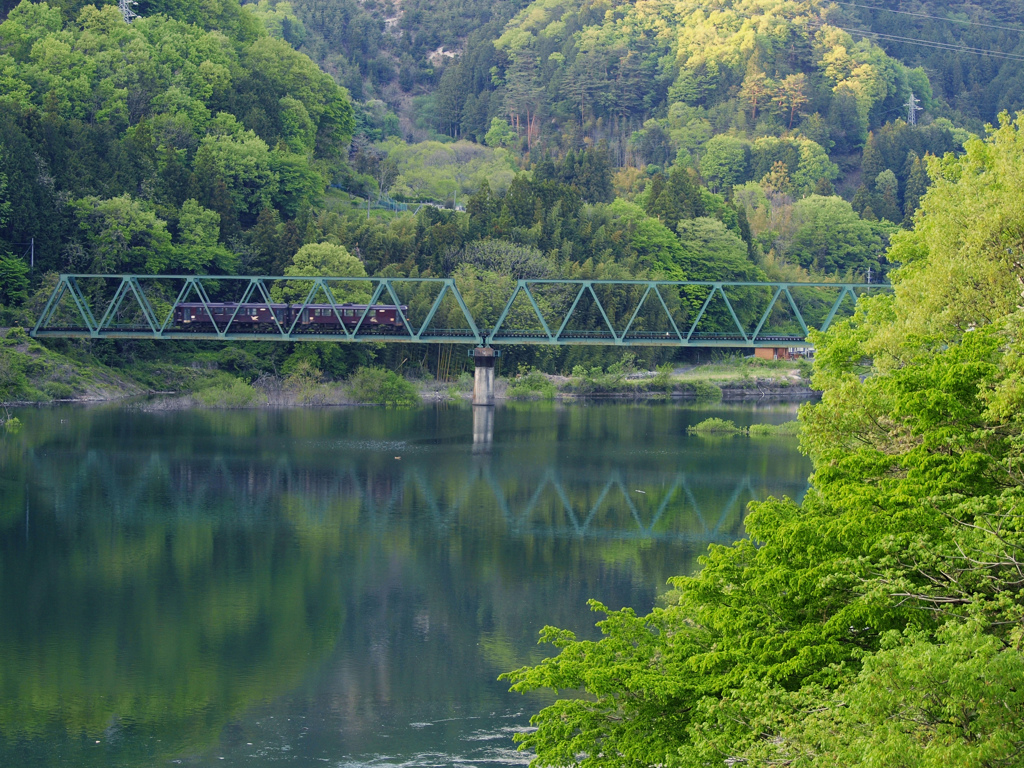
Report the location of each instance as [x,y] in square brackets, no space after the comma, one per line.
[35,373]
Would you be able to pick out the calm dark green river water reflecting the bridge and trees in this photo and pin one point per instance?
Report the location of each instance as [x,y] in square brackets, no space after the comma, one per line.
[334,587]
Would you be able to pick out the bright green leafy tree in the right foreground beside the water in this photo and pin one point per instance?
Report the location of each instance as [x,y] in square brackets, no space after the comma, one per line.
[879,622]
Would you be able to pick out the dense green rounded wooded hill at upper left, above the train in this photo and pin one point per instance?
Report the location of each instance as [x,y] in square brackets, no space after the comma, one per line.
[140,147]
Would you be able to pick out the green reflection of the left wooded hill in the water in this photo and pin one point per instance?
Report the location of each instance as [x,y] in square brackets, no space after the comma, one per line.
[149,638]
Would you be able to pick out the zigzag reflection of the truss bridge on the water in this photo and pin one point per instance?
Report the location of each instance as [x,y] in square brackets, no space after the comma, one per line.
[677,506]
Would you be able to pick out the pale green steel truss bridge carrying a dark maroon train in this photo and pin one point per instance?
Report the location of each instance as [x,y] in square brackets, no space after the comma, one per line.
[436,311]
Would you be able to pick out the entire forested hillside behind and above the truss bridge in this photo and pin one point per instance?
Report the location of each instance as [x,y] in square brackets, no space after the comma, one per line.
[694,140]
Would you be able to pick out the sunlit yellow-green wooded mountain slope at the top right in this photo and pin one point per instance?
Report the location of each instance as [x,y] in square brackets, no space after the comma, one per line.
[600,69]
